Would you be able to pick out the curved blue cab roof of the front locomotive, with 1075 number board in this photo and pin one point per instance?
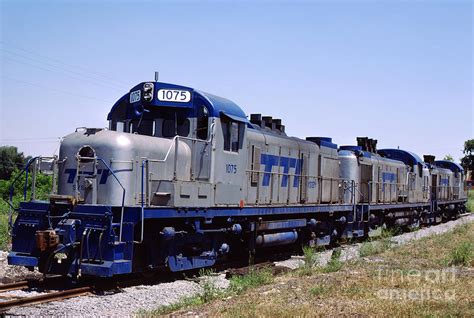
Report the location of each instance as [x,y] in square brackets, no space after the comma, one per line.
[217,105]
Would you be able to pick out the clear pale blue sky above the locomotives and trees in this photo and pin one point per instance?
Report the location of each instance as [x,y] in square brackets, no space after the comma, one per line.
[396,71]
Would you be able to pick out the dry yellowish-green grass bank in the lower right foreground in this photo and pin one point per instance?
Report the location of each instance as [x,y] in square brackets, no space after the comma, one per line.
[416,279]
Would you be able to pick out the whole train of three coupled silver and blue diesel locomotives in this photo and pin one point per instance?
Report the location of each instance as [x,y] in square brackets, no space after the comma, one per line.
[182,179]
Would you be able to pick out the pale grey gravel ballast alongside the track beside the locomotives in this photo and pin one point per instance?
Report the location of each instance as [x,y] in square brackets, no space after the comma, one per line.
[130,300]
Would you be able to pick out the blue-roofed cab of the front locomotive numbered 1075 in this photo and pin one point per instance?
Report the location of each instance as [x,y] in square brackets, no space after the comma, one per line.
[201,121]
